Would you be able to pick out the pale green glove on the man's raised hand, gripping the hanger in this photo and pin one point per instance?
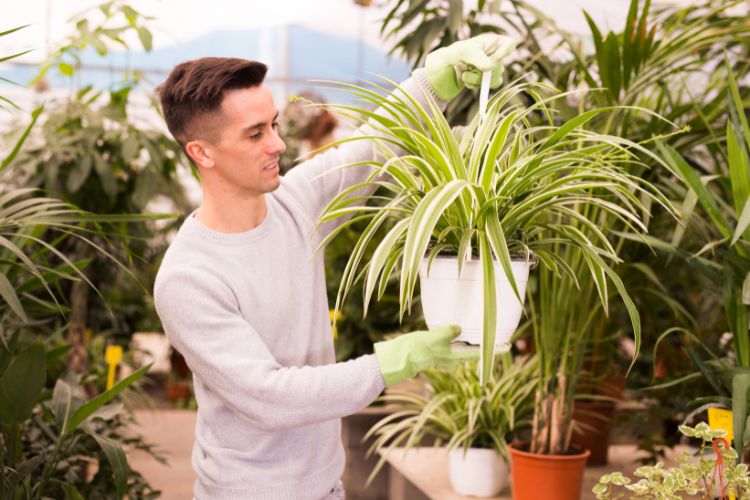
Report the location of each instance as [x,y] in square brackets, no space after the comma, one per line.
[462,63]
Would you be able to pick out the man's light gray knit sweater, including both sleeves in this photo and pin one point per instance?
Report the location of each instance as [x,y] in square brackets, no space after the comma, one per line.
[249,312]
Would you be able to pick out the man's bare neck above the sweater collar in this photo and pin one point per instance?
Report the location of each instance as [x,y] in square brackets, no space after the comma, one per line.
[232,215]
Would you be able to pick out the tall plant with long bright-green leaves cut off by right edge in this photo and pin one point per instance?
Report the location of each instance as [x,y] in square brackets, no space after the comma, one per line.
[724,257]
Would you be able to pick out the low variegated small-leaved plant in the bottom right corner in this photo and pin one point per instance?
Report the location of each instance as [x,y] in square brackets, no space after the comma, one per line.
[712,471]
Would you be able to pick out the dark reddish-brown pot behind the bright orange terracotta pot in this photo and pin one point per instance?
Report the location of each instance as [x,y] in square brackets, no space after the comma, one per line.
[594,419]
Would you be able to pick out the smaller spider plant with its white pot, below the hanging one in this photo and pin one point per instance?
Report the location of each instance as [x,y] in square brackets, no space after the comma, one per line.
[473,420]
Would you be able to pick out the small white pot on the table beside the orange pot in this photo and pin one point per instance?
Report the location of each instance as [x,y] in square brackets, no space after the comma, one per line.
[478,472]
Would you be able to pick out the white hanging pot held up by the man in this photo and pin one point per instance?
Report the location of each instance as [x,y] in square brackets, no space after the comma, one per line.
[450,299]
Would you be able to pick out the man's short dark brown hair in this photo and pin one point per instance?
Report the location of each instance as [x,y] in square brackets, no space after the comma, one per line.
[194,90]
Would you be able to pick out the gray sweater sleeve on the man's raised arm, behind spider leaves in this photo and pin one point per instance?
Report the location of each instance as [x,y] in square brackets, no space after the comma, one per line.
[317,181]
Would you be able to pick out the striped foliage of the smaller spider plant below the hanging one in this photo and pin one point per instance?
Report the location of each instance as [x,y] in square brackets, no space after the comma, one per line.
[455,409]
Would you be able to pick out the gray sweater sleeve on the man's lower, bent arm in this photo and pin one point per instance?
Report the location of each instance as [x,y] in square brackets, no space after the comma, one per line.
[202,320]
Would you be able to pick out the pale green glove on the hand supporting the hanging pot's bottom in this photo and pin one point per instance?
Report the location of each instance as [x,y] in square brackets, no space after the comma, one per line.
[405,356]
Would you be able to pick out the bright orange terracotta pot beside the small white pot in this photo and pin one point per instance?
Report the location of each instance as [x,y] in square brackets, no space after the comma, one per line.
[551,477]
